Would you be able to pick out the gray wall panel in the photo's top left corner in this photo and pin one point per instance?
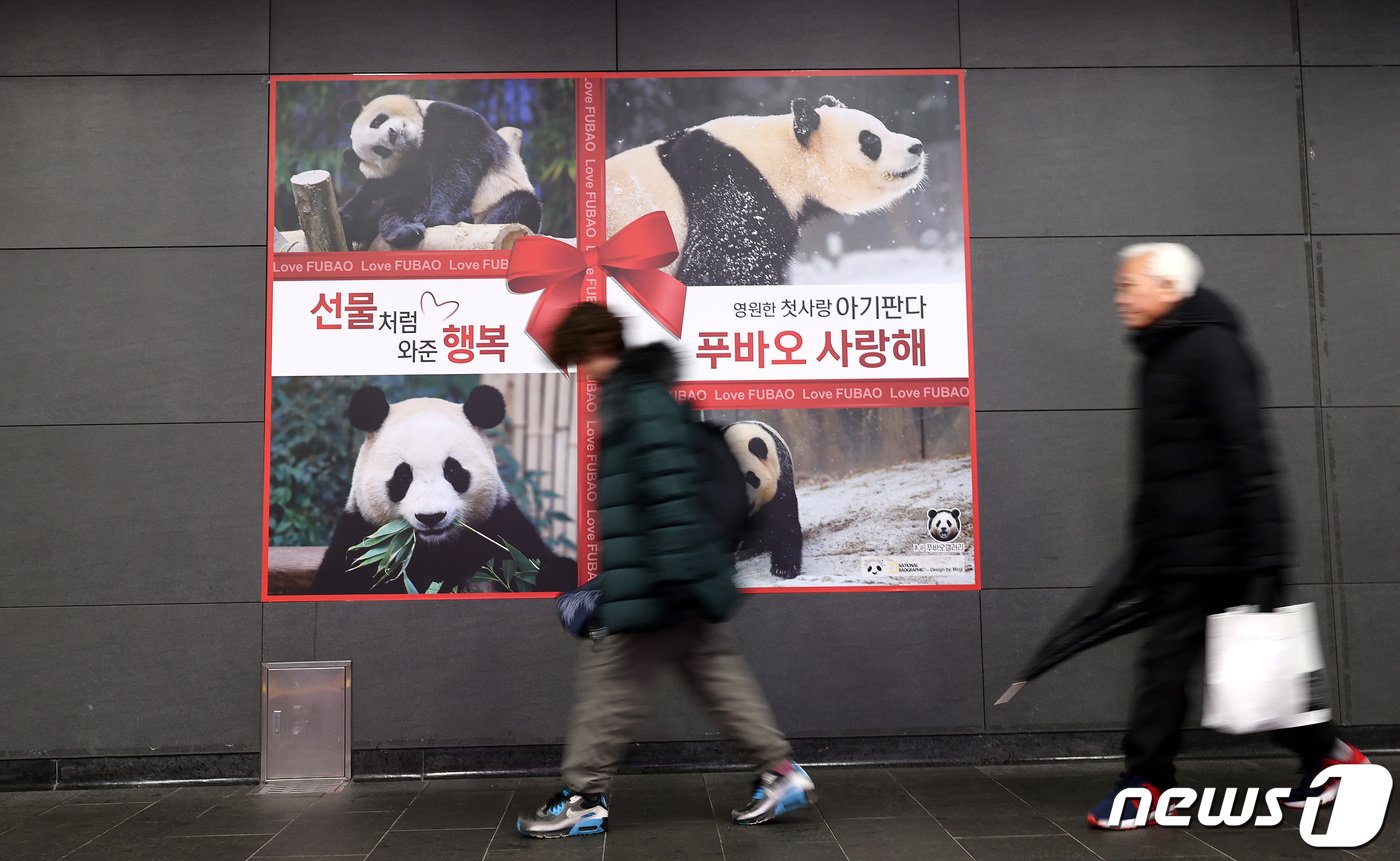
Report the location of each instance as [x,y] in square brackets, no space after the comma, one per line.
[135,37]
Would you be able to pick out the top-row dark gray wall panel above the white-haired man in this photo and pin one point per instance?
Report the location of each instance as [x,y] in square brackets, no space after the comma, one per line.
[1090,33]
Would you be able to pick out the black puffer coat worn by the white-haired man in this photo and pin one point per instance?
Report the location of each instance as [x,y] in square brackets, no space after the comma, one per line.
[1209,503]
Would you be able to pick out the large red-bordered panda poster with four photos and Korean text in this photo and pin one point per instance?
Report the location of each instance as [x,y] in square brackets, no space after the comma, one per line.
[799,240]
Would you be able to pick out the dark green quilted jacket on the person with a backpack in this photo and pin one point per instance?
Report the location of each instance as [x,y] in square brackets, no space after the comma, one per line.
[660,559]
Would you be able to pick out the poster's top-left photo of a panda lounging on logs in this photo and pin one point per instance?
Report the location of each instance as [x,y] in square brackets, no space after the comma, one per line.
[407,156]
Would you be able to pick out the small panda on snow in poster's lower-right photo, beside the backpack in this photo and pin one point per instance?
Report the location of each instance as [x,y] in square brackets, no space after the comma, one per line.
[766,465]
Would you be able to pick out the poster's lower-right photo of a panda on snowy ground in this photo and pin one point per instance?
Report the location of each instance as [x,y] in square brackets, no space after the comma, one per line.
[866,481]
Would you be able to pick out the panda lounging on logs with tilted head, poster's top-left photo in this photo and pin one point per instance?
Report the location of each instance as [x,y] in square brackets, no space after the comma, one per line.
[430,163]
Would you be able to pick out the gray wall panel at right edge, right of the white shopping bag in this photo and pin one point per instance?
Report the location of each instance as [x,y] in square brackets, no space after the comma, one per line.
[1371,695]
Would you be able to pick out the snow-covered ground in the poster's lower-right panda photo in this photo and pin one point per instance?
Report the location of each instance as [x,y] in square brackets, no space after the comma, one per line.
[878,514]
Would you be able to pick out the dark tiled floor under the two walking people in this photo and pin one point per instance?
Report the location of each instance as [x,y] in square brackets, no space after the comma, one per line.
[1028,813]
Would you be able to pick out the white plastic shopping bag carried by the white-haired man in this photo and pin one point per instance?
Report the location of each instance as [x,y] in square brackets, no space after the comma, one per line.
[1263,671]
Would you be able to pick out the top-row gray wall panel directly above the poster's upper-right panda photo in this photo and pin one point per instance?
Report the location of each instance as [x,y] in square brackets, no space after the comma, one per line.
[787,34]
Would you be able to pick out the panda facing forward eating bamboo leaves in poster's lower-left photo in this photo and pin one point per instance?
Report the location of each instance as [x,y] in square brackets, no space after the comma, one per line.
[429,463]
